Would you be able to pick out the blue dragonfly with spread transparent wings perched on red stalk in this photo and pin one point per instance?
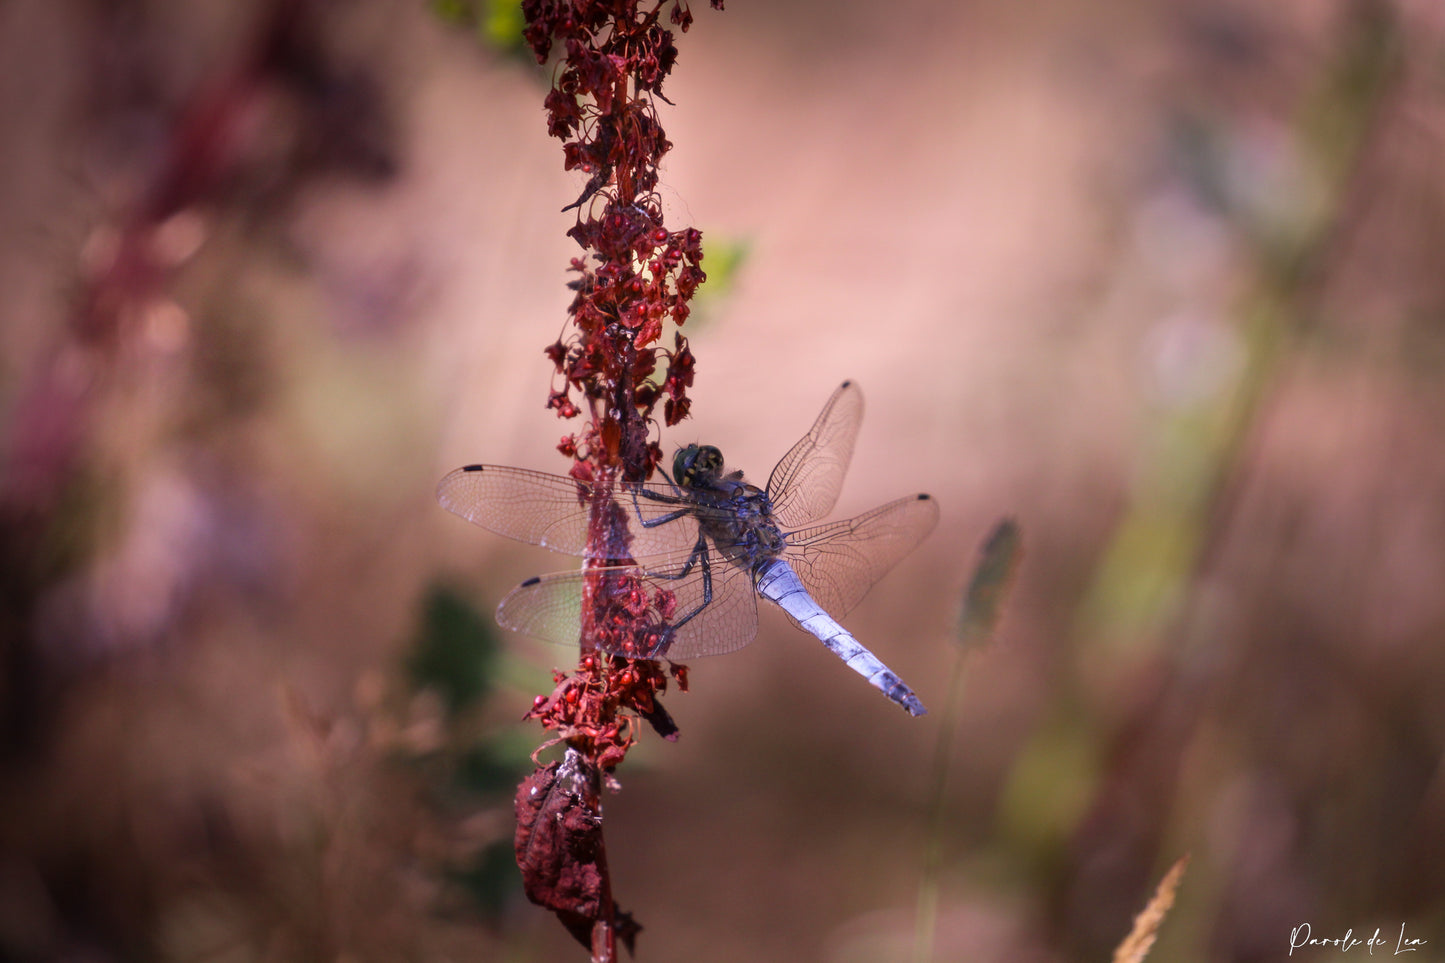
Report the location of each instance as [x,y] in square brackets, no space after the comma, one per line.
[674,568]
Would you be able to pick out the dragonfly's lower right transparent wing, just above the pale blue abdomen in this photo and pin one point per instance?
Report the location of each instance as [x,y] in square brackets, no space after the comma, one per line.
[840,562]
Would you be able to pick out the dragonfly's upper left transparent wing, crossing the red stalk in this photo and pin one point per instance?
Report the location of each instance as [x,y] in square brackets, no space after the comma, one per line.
[556,511]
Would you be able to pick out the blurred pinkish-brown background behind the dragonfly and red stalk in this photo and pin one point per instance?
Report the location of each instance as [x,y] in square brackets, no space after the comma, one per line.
[1163,281]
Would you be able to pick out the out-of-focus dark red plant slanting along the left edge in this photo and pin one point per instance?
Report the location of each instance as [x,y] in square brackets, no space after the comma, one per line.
[125,314]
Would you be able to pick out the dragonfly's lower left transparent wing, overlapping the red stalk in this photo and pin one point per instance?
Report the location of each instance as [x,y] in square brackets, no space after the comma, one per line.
[639,609]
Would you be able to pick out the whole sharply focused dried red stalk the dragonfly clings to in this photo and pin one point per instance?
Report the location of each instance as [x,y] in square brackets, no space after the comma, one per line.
[637,275]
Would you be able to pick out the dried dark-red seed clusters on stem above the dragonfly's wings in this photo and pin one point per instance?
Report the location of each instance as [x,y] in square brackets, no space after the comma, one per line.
[638,275]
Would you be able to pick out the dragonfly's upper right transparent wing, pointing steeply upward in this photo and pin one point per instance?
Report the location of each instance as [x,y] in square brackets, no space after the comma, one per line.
[806,484]
